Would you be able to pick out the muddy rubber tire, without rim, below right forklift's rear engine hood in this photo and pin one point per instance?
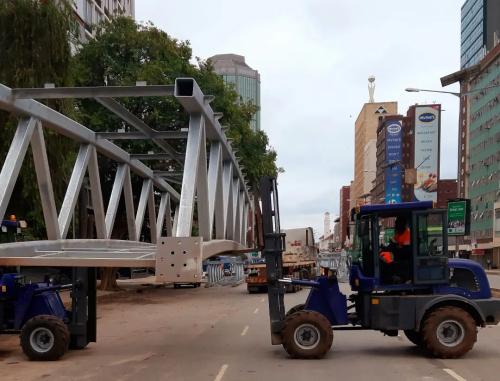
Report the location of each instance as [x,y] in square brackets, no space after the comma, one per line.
[429,326]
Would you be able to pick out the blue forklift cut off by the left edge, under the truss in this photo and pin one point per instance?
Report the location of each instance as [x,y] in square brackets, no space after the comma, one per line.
[37,312]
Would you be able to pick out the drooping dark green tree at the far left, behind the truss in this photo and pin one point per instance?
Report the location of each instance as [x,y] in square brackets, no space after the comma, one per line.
[35,49]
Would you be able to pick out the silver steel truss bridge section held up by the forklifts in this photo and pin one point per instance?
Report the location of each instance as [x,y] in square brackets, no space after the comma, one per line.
[210,176]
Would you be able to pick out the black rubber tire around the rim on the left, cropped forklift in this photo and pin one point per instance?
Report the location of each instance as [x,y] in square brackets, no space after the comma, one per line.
[61,337]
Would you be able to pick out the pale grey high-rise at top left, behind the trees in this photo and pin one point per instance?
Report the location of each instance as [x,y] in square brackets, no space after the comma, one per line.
[91,12]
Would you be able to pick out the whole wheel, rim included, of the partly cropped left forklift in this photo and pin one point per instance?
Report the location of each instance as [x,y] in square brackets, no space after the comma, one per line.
[45,338]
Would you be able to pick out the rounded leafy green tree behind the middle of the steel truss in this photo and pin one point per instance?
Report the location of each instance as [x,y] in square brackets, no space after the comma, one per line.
[124,52]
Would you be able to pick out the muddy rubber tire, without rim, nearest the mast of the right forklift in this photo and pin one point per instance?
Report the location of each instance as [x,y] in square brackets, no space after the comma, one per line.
[312,317]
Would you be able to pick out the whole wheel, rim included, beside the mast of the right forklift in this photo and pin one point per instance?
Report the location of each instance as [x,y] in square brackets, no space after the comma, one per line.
[307,335]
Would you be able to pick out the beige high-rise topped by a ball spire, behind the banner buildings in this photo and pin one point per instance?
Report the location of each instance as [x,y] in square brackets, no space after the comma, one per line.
[365,148]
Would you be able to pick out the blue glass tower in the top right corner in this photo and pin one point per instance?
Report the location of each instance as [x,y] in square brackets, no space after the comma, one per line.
[480,29]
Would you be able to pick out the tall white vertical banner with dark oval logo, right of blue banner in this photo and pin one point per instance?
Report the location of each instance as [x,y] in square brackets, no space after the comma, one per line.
[427,124]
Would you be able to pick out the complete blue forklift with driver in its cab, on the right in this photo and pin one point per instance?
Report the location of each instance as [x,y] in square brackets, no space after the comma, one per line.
[438,302]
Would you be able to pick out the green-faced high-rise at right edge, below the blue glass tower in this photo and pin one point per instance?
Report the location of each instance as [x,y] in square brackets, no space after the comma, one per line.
[479,150]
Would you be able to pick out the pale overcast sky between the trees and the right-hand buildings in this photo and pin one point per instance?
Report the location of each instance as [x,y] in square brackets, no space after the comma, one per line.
[314,58]
